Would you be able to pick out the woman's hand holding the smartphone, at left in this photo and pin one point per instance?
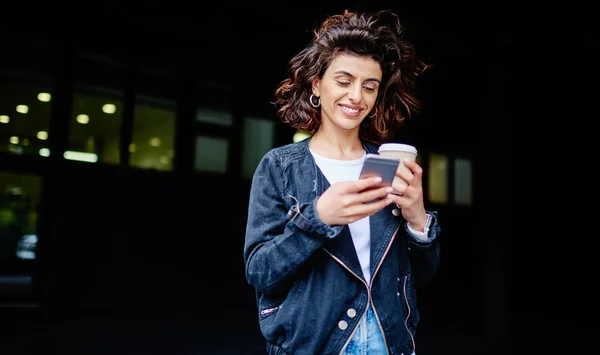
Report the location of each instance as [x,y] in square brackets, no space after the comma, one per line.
[349,201]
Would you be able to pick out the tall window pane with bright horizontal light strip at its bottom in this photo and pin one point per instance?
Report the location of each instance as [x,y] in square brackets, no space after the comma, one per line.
[96,114]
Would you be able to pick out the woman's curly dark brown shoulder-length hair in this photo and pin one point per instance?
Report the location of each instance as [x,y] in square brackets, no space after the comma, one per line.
[374,35]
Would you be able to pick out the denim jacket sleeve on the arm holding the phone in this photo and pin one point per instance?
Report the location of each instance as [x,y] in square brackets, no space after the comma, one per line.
[279,239]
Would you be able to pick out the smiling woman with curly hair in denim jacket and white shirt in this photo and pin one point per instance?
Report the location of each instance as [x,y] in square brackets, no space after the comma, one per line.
[334,272]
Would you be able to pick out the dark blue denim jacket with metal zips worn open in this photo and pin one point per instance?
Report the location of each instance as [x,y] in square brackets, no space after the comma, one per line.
[310,290]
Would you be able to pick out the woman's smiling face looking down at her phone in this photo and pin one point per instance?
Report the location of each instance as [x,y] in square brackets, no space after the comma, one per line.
[348,90]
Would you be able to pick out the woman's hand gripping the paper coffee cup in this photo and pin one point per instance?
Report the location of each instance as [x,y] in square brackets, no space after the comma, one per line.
[410,201]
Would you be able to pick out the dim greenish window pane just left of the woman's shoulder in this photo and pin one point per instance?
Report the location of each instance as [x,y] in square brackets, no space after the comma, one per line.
[258,139]
